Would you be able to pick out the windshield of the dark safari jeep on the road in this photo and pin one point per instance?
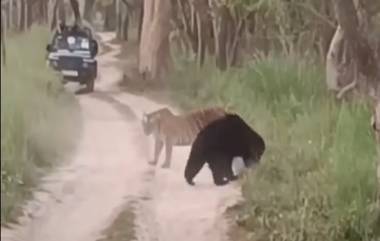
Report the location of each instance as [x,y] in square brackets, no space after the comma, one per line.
[71,43]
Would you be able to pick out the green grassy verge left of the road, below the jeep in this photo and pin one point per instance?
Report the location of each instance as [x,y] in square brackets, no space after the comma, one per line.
[38,119]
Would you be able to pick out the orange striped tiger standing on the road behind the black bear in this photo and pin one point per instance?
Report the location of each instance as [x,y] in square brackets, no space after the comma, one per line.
[176,130]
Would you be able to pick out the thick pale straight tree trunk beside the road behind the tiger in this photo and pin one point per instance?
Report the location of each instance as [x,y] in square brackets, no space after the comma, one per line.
[154,48]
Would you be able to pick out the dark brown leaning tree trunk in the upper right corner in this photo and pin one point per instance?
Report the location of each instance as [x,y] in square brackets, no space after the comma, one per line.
[362,68]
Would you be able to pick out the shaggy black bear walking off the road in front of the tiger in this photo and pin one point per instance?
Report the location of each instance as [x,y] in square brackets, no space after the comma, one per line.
[218,143]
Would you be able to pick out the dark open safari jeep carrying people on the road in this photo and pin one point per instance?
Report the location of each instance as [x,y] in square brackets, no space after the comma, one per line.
[72,53]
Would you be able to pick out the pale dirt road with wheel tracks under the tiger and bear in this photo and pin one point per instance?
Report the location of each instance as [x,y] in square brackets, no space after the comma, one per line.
[109,168]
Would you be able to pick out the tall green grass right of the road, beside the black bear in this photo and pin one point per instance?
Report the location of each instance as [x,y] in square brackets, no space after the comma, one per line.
[317,180]
